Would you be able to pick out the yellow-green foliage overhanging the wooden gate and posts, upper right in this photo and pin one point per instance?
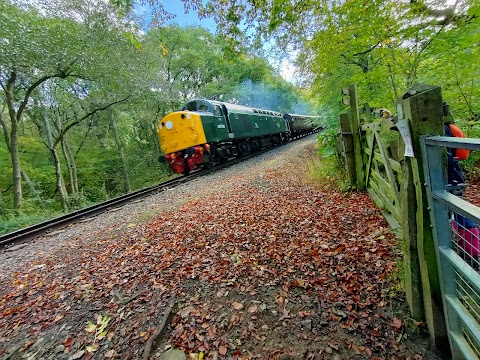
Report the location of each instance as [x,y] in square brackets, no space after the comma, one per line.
[382,46]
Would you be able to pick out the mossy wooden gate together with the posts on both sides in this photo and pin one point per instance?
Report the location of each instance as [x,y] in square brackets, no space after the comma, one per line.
[376,160]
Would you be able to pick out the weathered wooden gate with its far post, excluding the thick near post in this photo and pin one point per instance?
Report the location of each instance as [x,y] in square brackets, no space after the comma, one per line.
[369,148]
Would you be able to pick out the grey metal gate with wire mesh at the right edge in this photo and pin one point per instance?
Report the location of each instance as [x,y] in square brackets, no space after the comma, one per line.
[456,246]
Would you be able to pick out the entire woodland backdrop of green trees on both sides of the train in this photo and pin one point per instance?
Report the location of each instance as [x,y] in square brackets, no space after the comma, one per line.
[84,82]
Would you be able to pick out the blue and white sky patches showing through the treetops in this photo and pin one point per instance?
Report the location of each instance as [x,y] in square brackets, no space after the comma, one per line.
[286,68]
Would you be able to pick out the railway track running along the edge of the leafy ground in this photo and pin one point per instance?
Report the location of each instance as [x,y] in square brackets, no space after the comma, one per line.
[23,235]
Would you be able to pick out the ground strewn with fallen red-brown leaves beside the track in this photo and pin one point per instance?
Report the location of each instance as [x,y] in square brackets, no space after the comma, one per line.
[267,266]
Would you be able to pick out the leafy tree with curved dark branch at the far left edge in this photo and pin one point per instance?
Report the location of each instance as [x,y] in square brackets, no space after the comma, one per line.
[43,49]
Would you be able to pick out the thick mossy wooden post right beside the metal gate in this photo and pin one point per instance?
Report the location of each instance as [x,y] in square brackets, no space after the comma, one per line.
[422,108]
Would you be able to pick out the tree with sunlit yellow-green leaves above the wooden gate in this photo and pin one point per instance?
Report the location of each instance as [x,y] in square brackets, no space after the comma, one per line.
[382,45]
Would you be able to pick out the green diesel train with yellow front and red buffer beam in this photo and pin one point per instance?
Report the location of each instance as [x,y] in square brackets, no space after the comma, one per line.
[208,131]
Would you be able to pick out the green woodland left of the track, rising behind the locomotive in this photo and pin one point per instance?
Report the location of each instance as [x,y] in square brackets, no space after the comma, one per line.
[59,64]
